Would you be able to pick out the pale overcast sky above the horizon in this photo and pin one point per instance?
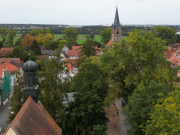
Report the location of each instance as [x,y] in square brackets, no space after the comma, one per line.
[90,12]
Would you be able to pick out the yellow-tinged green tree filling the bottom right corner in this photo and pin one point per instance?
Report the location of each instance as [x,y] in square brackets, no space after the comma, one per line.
[165,119]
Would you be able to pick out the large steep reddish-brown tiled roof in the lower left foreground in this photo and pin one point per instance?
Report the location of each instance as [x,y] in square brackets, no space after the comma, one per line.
[33,119]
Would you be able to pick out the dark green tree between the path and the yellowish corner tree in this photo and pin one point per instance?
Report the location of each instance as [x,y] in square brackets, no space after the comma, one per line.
[141,103]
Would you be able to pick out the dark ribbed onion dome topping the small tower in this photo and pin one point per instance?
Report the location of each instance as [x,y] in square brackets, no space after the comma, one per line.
[30,66]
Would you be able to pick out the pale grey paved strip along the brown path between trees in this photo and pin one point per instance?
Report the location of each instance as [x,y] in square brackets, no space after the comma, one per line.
[122,116]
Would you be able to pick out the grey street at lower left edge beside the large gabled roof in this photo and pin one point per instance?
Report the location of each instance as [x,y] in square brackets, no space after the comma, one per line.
[4,113]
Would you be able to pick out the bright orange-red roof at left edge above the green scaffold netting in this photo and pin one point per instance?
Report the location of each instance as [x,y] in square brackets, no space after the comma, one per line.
[7,66]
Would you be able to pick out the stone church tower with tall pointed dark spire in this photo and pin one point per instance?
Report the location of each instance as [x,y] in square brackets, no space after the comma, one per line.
[116,29]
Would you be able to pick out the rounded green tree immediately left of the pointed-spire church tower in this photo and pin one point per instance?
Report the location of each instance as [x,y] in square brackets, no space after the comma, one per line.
[105,35]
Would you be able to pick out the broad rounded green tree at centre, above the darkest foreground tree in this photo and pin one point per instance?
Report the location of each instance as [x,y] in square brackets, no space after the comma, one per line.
[90,78]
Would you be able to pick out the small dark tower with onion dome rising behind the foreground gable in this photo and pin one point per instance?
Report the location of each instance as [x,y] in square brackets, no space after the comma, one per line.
[31,87]
